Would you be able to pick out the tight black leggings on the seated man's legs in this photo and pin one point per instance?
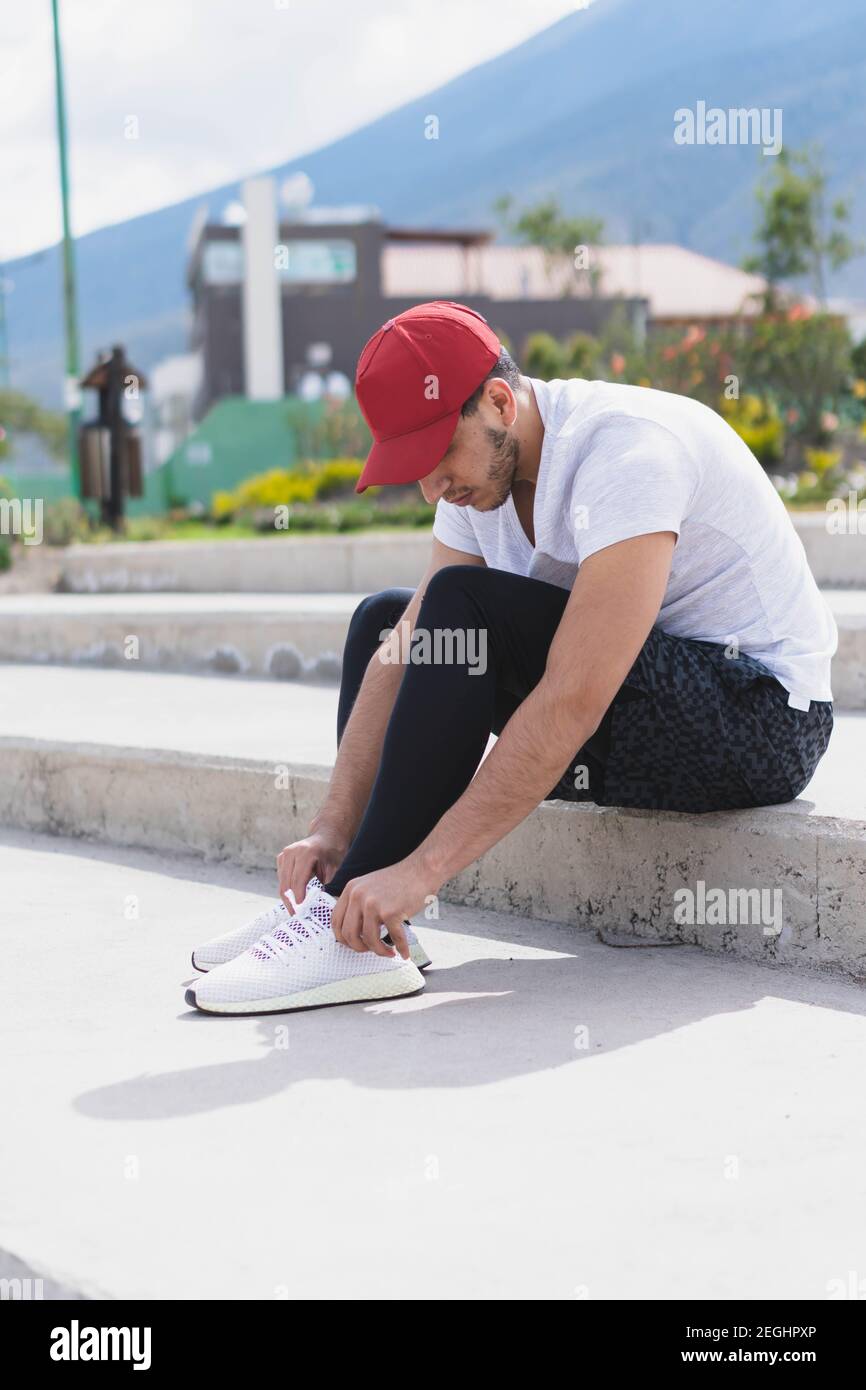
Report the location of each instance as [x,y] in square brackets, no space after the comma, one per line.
[447,711]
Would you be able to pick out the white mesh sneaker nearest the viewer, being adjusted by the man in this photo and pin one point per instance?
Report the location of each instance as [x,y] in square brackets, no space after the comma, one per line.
[300,965]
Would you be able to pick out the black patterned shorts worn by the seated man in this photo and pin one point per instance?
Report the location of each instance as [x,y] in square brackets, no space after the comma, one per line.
[696,730]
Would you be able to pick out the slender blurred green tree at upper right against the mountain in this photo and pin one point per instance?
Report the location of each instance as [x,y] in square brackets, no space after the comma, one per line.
[797,234]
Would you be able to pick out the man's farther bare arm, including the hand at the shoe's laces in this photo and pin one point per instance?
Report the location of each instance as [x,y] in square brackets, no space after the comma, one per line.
[361,749]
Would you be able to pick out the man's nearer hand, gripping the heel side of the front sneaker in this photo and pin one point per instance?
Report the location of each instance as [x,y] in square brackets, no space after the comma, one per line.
[382,900]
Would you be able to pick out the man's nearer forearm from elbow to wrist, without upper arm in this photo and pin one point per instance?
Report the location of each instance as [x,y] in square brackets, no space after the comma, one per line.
[529,758]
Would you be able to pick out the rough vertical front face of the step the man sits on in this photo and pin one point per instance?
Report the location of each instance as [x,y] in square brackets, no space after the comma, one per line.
[616,871]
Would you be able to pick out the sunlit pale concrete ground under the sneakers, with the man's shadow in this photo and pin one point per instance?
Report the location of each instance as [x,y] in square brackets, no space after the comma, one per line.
[540,1075]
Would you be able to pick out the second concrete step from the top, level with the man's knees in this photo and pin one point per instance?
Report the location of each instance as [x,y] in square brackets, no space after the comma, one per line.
[286,636]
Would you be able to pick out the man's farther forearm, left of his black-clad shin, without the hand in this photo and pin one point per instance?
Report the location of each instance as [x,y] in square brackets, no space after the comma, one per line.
[359,751]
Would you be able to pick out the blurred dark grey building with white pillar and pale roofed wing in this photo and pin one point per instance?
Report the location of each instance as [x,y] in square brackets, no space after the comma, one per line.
[283,305]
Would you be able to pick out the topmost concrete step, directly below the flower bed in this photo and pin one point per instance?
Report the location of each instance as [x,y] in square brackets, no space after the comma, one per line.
[354,564]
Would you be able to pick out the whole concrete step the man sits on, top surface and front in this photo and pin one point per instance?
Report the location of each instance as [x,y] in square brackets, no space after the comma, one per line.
[177,764]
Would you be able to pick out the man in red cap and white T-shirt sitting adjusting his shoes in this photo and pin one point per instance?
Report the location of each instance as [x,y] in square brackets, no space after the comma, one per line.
[615,590]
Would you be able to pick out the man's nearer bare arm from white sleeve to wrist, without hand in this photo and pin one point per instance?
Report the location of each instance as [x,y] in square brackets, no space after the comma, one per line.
[614,605]
